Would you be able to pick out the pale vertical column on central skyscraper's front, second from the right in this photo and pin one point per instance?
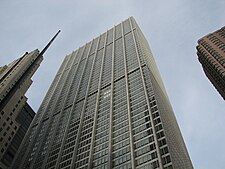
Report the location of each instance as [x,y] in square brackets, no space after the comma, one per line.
[128,102]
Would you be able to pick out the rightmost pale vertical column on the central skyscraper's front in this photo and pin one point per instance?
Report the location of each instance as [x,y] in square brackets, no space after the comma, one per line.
[147,99]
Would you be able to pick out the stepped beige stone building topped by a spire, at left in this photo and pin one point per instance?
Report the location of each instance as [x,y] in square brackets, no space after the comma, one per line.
[16,115]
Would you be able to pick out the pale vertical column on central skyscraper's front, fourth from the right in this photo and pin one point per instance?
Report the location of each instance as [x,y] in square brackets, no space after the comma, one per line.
[96,108]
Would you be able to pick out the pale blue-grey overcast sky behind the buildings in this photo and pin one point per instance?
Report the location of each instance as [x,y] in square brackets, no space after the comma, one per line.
[172,29]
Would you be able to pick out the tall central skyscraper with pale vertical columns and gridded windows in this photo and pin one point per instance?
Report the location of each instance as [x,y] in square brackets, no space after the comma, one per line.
[106,108]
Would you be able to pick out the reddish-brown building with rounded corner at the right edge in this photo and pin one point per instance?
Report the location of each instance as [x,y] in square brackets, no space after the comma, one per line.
[211,54]
